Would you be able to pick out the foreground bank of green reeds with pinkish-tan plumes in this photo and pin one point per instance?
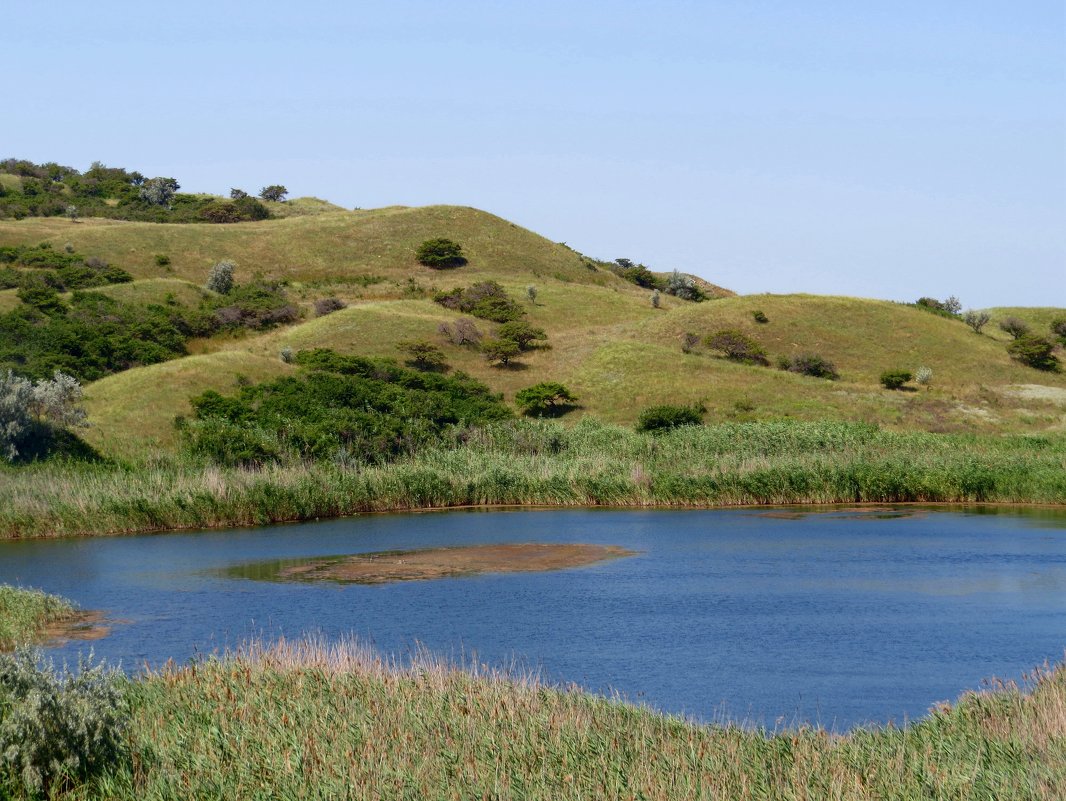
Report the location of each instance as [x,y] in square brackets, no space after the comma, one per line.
[311,722]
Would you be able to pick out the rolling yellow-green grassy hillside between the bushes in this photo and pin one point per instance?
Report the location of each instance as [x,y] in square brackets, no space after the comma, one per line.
[608,344]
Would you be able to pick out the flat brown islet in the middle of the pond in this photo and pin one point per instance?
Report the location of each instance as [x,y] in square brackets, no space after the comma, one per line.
[430,564]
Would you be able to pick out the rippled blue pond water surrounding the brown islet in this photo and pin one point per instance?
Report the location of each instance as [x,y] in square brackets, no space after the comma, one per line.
[777,617]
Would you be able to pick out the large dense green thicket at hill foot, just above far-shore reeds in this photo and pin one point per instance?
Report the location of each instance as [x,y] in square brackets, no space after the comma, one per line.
[348,409]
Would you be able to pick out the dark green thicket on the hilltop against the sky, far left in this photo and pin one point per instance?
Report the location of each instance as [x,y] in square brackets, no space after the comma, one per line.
[56,190]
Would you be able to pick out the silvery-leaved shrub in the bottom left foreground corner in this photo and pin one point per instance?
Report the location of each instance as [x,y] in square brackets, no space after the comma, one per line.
[57,728]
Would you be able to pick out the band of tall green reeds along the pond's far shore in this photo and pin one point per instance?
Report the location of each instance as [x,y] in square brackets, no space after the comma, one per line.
[544,463]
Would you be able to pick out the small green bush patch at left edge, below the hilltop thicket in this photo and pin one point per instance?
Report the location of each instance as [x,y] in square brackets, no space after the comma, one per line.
[34,267]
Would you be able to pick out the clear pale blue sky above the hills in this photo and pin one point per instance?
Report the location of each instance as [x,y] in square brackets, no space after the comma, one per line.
[884,150]
